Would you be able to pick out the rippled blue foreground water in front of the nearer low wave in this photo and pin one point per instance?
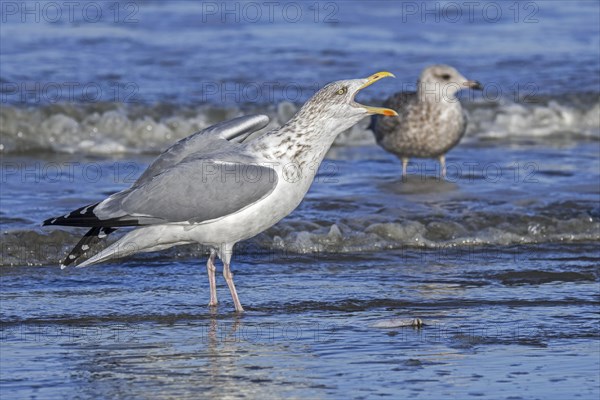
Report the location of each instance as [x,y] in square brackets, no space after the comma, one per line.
[517,326]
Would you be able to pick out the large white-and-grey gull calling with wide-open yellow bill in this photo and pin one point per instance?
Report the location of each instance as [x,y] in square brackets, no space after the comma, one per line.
[216,188]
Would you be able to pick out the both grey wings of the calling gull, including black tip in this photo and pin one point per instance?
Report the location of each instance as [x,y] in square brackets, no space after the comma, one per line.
[173,189]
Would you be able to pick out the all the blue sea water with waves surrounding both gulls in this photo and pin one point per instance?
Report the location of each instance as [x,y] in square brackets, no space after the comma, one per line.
[499,260]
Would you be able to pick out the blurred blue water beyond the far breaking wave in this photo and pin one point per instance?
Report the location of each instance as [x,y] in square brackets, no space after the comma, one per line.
[178,51]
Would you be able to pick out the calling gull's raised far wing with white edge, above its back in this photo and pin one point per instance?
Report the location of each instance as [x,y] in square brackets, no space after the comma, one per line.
[214,138]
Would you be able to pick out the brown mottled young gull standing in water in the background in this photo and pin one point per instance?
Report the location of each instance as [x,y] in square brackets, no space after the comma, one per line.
[430,122]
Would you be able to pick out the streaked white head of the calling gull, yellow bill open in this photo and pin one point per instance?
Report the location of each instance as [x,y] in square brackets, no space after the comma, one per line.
[335,106]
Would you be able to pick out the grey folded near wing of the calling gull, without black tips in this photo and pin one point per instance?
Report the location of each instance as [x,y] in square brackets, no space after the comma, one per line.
[197,190]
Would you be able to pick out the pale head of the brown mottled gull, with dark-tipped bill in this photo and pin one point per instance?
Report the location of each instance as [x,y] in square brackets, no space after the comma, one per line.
[446,79]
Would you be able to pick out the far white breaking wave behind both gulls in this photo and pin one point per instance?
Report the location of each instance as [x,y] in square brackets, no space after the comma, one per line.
[109,128]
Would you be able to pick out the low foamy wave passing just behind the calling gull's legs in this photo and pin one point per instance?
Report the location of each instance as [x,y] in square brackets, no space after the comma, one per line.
[288,238]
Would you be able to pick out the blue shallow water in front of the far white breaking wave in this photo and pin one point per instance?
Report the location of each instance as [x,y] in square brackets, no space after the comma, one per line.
[503,273]
